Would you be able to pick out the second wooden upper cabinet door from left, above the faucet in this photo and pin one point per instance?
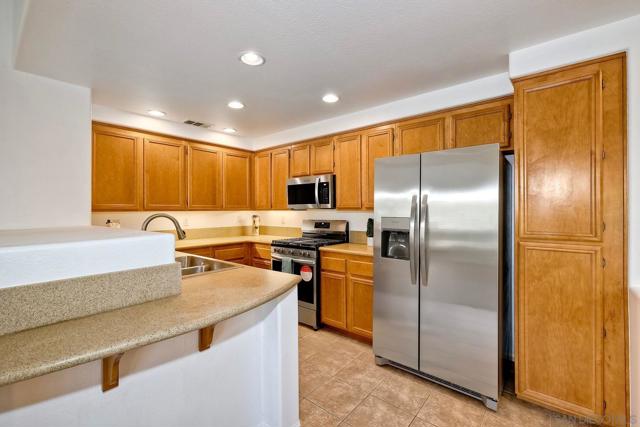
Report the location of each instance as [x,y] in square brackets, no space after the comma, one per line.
[164,174]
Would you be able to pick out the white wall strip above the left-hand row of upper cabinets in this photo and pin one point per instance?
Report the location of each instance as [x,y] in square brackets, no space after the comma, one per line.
[114,116]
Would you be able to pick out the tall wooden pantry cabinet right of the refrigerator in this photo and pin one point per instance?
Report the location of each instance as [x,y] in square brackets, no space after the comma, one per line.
[570,247]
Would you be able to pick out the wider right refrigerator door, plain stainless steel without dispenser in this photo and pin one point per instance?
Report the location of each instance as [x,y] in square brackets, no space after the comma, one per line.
[460,279]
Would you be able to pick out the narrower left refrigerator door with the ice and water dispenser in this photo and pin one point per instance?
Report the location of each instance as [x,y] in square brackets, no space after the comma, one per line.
[395,308]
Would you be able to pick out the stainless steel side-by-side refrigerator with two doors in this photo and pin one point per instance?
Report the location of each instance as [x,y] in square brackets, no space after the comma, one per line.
[438,267]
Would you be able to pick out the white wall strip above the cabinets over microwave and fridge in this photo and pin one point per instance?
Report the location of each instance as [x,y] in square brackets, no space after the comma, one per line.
[464,93]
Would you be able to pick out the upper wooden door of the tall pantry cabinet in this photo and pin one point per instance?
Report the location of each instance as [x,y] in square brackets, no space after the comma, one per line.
[559,132]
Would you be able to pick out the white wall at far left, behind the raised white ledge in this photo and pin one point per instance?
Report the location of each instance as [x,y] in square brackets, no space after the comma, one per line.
[45,150]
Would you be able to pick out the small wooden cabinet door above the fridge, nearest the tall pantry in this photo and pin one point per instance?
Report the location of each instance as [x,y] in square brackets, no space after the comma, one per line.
[487,123]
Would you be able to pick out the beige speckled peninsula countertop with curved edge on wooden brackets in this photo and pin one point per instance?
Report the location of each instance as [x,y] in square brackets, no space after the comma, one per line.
[205,300]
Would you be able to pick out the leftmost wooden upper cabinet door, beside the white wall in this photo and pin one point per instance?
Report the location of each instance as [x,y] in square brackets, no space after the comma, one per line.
[116,170]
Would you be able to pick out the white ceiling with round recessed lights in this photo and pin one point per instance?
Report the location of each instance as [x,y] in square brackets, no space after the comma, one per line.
[181,56]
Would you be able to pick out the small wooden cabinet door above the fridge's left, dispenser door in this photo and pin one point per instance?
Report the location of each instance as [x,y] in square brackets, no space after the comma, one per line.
[421,135]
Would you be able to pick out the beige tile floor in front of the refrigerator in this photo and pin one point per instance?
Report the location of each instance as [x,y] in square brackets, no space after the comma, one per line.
[340,384]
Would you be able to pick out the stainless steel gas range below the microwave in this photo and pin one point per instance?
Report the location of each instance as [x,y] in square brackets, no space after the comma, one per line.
[301,256]
